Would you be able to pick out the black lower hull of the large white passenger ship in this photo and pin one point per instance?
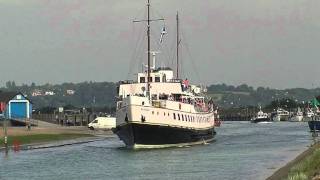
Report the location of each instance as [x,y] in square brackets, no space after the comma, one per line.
[136,135]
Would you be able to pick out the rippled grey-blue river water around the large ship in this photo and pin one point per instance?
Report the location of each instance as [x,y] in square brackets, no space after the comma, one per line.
[242,150]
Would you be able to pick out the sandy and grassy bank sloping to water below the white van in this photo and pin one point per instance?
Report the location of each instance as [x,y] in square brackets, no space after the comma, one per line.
[66,136]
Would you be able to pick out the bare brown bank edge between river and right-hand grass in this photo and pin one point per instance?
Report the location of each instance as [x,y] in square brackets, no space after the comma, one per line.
[283,172]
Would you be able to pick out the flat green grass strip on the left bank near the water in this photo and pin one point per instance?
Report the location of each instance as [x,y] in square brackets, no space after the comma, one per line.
[38,138]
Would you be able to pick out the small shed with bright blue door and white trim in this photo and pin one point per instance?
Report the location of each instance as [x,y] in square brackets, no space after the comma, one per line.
[17,106]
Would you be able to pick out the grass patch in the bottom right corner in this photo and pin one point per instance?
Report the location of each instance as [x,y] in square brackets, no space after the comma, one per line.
[307,168]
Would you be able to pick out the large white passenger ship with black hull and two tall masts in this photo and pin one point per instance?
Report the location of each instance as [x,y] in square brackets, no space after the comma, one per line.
[159,110]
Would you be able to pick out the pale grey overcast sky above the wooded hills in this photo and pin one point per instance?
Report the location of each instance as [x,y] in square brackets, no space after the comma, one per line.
[271,43]
